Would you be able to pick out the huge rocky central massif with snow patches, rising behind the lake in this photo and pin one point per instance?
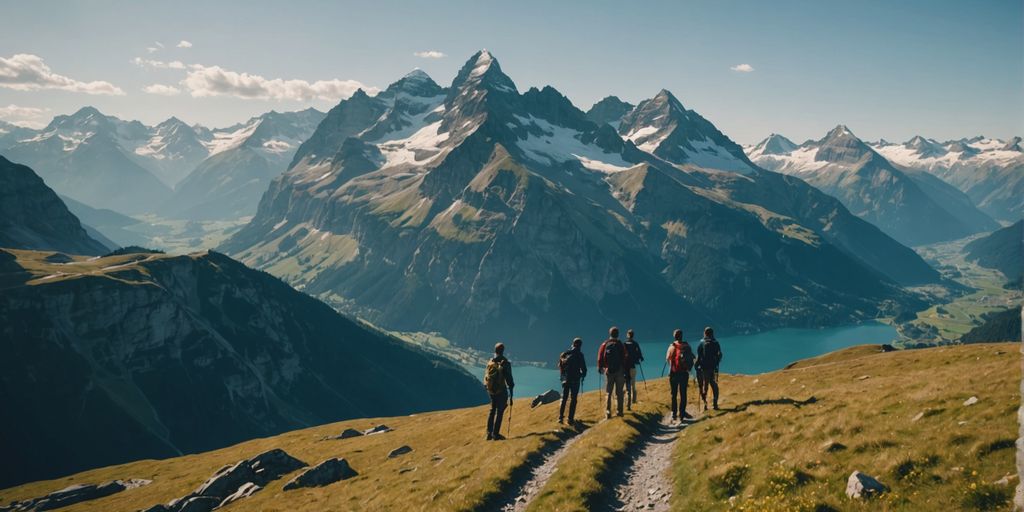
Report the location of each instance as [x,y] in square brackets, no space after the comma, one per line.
[487,215]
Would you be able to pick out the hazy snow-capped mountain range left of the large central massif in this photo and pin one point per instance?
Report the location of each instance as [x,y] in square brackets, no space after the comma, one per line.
[105,162]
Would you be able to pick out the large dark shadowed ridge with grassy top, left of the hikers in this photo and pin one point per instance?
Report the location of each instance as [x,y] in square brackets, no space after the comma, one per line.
[144,356]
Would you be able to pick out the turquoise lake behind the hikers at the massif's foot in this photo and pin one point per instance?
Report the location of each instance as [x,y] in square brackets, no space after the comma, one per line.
[754,354]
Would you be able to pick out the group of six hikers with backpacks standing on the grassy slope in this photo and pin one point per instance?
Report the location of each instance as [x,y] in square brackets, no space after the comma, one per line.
[618,362]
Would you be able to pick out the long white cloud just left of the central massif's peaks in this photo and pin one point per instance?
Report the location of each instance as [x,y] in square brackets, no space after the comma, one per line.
[216,81]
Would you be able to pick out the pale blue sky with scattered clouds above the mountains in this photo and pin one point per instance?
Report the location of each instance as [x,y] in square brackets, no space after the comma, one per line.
[891,70]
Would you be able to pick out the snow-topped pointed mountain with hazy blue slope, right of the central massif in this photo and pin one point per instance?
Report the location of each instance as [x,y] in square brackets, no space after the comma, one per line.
[912,206]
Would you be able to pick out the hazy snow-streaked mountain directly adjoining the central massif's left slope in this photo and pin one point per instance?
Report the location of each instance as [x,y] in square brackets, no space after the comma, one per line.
[243,161]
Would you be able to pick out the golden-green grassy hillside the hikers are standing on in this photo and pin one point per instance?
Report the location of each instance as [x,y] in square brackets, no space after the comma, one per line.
[936,425]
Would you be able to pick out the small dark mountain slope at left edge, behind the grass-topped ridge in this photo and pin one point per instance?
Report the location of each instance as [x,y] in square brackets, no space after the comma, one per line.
[33,218]
